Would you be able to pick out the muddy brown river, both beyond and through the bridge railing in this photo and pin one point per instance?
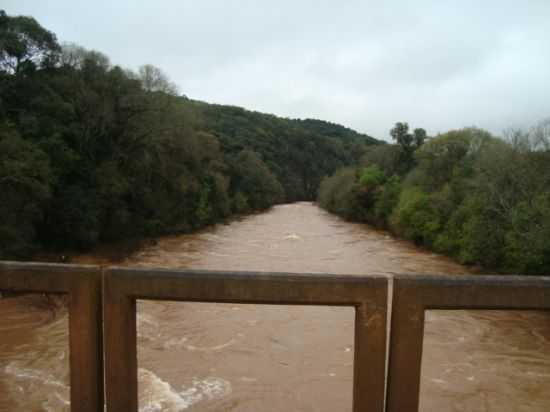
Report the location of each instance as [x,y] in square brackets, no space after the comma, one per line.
[226,357]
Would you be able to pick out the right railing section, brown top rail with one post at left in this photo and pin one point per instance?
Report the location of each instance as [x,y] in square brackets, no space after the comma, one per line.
[413,295]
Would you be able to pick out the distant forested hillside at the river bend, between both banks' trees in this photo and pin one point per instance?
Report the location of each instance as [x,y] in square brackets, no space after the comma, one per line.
[299,152]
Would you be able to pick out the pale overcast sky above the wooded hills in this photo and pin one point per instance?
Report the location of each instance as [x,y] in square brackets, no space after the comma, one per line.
[366,64]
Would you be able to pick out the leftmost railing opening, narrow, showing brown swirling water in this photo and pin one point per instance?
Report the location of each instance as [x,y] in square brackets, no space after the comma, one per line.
[34,352]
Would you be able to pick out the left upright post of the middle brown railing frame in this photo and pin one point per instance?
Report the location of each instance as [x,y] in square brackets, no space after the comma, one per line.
[120,348]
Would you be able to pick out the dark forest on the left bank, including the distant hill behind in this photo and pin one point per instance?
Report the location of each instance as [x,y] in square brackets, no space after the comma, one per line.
[91,152]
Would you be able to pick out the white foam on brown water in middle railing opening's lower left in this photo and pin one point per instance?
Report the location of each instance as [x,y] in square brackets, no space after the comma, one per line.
[159,395]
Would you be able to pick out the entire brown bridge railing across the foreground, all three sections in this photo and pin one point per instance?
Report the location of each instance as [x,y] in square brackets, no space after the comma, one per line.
[102,319]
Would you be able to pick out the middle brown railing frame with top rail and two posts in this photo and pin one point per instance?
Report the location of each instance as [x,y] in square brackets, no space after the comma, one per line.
[368,294]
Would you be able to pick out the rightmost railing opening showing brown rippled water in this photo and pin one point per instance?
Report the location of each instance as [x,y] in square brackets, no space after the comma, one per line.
[485,360]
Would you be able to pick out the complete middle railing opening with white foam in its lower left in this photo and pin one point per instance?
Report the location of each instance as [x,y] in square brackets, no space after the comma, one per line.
[228,356]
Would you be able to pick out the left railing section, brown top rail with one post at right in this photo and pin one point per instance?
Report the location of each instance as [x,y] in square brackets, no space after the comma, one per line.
[83,286]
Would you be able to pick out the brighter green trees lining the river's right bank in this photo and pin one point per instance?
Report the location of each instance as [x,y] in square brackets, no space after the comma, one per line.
[480,199]
